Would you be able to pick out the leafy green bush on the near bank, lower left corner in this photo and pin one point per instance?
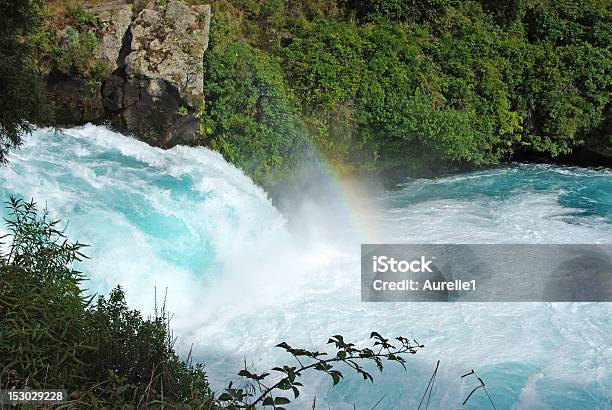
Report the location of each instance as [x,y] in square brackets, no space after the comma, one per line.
[53,335]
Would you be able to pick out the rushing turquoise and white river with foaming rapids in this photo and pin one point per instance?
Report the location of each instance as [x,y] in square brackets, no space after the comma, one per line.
[241,277]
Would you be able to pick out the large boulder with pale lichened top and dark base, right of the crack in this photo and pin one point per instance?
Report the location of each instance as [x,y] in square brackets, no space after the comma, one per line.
[155,91]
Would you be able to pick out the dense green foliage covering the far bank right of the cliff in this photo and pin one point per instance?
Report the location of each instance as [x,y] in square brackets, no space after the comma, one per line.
[383,84]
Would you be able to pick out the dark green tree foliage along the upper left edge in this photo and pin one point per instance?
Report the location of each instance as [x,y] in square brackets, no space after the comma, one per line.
[24,100]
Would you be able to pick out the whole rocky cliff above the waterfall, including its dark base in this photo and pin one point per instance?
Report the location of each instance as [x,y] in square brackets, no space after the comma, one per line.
[153,83]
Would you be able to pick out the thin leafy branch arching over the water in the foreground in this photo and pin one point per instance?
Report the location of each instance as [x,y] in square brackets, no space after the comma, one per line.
[259,392]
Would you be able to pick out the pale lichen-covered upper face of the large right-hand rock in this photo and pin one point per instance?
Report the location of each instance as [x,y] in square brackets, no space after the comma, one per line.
[168,43]
